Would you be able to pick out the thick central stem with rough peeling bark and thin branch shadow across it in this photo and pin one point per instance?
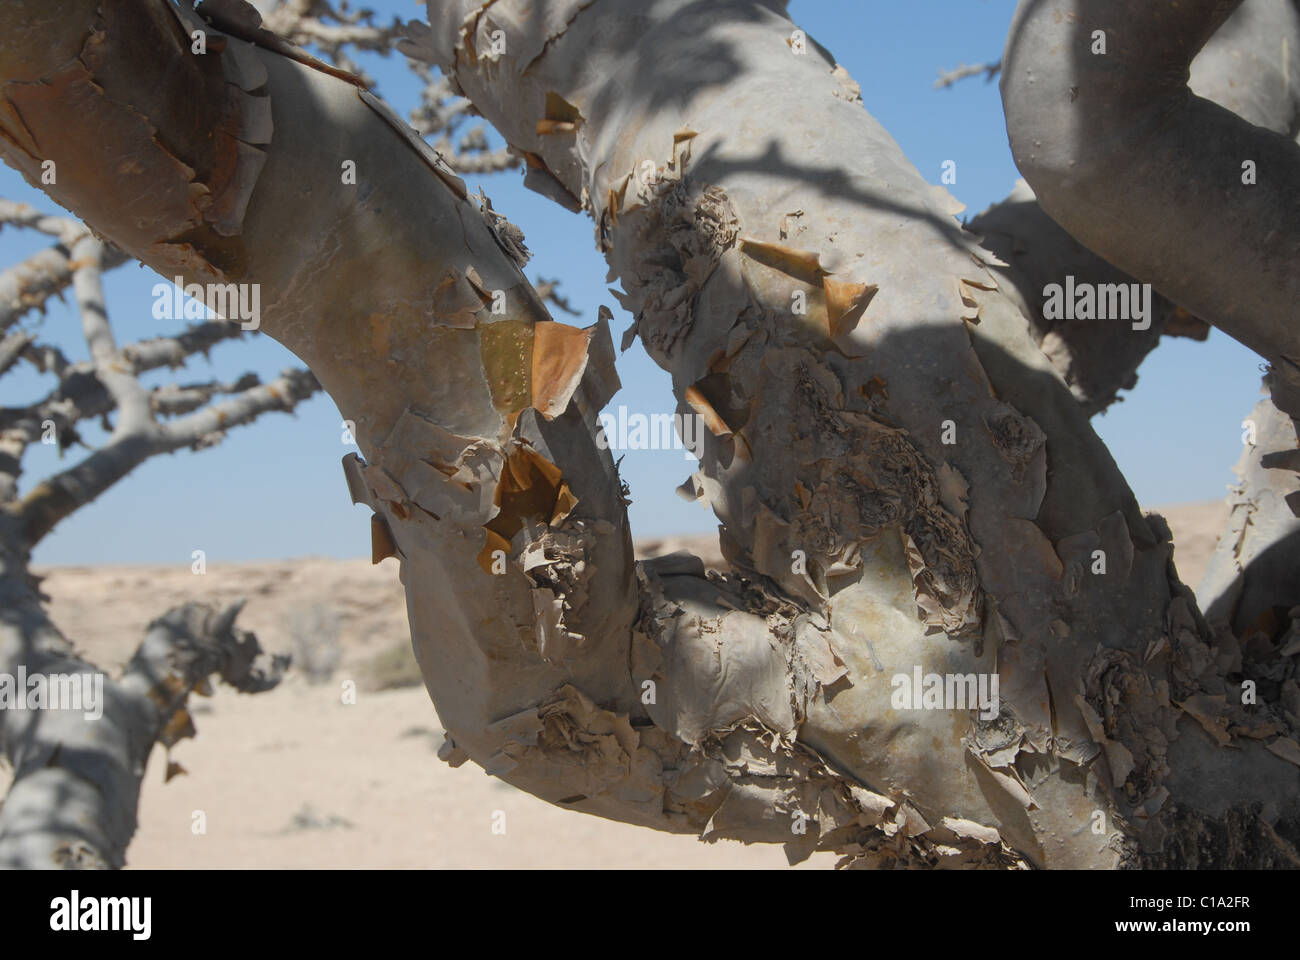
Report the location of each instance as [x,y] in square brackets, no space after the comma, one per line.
[692,148]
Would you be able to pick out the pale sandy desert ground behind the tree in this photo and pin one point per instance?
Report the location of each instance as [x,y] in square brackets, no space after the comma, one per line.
[297,779]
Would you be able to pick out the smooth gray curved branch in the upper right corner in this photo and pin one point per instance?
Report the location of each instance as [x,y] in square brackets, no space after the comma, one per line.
[1164,184]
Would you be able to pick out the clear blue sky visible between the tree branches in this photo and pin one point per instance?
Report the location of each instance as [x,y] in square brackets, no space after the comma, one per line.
[276,488]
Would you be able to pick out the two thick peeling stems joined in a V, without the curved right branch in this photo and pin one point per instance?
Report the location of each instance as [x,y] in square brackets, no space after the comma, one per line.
[731,179]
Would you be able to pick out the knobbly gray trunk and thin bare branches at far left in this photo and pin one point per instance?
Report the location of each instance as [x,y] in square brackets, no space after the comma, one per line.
[77,772]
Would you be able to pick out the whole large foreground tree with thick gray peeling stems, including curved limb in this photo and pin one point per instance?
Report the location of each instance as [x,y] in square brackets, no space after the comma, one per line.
[950,635]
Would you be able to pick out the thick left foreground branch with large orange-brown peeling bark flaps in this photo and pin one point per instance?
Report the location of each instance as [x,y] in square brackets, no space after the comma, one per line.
[387,289]
